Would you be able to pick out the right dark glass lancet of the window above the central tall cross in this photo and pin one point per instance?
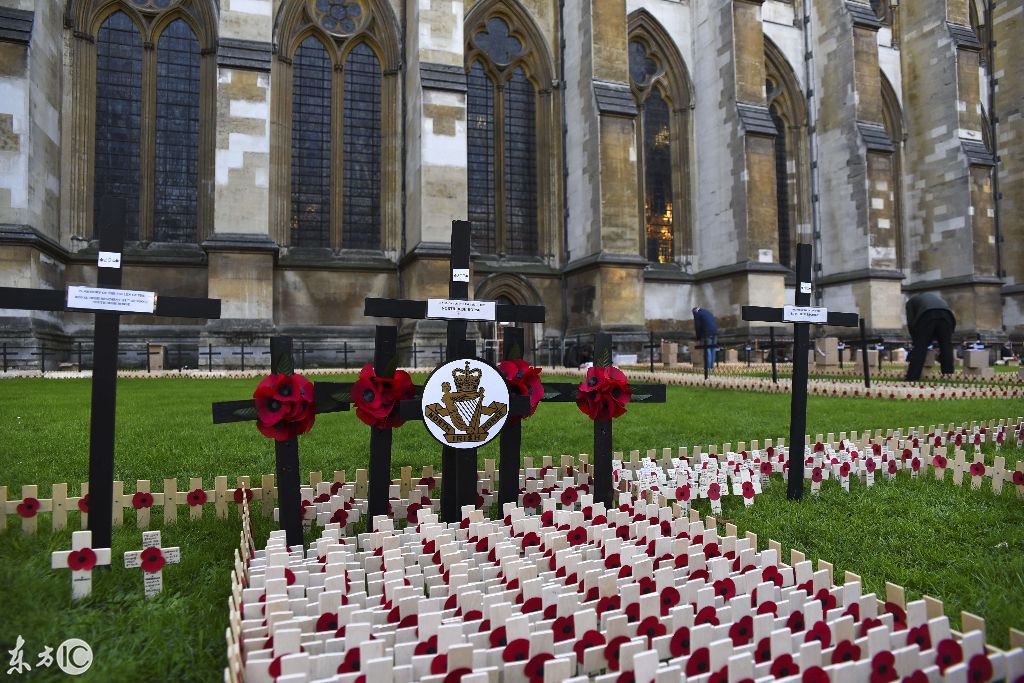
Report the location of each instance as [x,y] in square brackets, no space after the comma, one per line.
[521,165]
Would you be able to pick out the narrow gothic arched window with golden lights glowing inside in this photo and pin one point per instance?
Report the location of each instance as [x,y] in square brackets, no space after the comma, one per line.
[661,88]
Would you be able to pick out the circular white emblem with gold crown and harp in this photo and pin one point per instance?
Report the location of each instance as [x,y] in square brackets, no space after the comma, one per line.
[465,404]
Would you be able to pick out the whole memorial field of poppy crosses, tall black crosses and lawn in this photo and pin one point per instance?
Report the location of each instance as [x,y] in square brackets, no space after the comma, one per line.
[602,567]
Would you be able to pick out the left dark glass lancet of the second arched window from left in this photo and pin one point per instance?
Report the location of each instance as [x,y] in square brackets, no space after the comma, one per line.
[312,146]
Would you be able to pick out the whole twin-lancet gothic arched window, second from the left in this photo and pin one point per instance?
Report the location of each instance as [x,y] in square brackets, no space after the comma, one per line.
[339,73]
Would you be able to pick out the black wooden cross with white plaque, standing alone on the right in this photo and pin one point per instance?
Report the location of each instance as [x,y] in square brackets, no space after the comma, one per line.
[802,316]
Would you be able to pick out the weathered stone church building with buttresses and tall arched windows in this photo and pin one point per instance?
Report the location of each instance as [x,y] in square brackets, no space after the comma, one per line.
[622,161]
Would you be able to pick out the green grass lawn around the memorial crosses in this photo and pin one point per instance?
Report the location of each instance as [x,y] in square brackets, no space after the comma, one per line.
[964,547]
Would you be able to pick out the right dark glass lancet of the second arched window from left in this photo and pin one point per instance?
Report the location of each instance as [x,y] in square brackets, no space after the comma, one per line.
[362,223]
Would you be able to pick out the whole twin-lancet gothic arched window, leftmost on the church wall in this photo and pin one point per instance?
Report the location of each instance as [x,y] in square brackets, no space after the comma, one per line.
[145,122]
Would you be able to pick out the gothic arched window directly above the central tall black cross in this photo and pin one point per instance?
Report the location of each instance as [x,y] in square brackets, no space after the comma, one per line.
[502,139]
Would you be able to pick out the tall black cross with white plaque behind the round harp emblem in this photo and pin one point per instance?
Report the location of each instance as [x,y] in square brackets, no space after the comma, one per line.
[458,466]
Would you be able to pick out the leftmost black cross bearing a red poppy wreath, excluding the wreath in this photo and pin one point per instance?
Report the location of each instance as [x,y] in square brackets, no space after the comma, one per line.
[287,452]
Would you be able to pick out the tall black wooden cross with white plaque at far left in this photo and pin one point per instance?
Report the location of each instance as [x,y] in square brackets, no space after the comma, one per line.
[109,303]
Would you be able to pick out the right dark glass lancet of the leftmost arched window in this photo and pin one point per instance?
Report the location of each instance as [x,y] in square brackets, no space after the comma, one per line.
[177,187]
